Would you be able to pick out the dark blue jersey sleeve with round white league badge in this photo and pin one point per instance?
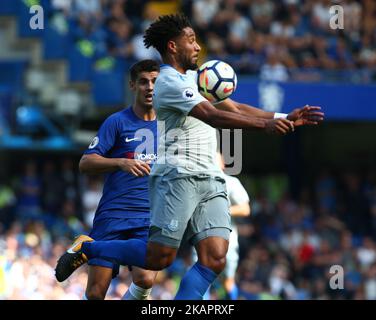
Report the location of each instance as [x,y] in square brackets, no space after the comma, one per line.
[105,139]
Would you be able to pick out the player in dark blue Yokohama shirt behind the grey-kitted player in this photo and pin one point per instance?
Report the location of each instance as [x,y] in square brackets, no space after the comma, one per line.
[125,151]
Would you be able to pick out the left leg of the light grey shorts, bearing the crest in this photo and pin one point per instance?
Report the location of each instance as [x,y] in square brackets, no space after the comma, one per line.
[172,203]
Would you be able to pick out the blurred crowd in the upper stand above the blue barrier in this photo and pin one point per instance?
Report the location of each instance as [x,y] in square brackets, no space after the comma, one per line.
[276,40]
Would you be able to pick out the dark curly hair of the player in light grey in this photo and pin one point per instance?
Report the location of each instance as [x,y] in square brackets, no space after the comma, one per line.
[164,29]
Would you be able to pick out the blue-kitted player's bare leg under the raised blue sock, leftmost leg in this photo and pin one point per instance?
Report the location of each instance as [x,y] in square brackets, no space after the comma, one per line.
[99,279]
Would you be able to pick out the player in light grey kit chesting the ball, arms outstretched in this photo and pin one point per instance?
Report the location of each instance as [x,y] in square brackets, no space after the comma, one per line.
[187,189]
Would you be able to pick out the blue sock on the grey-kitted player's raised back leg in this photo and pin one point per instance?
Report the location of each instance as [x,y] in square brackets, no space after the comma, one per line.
[125,252]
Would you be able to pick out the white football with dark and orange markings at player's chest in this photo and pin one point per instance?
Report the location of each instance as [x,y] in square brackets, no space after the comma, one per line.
[216,80]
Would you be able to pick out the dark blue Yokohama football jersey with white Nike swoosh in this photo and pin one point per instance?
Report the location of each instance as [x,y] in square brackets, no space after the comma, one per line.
[124,135]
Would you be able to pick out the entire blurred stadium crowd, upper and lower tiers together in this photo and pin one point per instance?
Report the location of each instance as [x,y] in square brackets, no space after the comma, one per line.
[288,245]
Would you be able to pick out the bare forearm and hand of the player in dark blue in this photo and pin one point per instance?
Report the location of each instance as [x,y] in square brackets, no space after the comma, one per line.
[96,164]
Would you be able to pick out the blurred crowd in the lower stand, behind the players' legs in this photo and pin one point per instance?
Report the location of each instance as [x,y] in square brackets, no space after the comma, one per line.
[287,246]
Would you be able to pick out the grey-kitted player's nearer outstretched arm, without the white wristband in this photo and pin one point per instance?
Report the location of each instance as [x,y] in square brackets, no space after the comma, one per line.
[216,118]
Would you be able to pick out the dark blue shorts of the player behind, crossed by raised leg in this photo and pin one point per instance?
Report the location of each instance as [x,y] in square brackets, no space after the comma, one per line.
[118,229]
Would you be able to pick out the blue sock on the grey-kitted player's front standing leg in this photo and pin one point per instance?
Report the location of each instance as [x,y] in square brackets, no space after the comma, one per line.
[195,283]
